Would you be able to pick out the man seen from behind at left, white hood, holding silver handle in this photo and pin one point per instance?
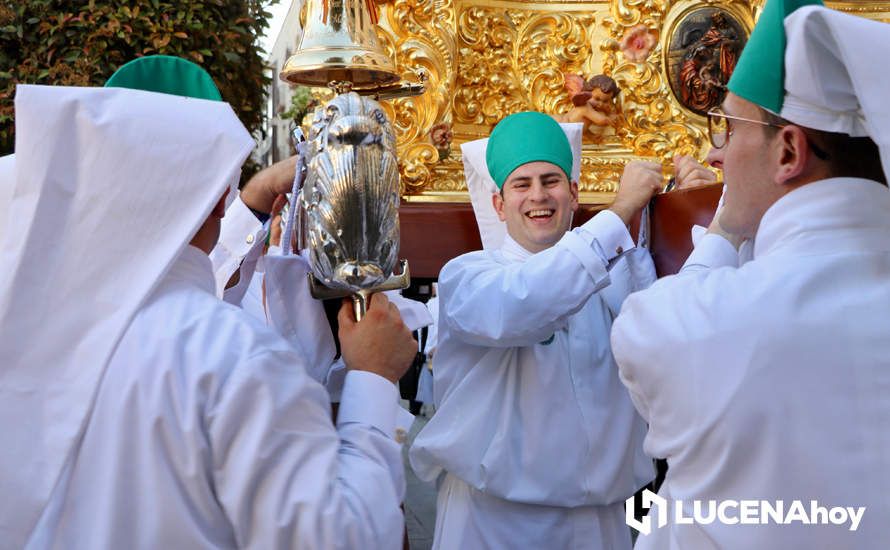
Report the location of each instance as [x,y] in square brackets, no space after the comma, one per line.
[140,411]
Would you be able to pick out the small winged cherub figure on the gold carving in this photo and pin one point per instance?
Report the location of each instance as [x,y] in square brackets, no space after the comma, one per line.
[593,100]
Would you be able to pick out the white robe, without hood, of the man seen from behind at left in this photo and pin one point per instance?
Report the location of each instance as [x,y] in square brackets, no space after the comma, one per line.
[208,433]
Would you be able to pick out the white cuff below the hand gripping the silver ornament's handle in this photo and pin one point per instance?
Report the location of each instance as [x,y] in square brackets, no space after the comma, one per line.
[369,399]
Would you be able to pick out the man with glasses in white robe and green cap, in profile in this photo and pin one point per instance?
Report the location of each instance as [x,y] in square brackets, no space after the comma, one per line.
[767,386]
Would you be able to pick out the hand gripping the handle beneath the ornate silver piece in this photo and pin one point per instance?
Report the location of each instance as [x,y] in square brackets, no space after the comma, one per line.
[380,342]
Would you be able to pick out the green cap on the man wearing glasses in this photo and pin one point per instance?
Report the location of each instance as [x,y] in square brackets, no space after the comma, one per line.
[759,75]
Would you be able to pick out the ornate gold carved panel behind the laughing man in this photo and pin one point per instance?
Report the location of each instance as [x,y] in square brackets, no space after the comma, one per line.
[485,59]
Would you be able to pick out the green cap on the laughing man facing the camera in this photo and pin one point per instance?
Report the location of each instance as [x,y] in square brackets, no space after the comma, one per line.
[526,137]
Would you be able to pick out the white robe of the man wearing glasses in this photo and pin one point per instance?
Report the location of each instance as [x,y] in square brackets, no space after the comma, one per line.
[772,381]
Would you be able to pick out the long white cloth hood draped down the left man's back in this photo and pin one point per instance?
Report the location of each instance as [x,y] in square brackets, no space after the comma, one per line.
[110,185]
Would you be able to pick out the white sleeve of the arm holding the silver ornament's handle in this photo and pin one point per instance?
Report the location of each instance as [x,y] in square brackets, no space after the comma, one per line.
[287,478]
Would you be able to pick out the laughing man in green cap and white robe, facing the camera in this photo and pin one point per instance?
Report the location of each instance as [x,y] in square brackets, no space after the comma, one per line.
[534,441]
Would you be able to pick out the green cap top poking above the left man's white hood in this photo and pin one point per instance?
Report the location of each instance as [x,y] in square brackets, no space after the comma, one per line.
[165,74]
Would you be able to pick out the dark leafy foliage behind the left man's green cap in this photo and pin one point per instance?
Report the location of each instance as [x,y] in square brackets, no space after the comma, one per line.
[81,43]
